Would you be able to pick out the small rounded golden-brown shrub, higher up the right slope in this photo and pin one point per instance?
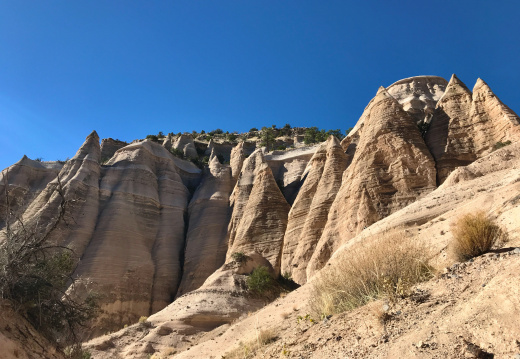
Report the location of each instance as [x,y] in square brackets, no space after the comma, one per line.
[475,234]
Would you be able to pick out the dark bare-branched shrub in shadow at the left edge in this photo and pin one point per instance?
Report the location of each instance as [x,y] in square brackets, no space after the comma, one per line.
[35,273]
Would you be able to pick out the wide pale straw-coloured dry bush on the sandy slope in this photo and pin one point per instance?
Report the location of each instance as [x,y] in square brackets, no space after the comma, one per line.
[387,267]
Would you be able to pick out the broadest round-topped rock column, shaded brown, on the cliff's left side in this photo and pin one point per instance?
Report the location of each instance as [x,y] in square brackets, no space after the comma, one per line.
[134,253]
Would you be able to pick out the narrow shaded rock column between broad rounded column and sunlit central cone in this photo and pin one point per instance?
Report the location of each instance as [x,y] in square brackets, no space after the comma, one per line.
[208,215]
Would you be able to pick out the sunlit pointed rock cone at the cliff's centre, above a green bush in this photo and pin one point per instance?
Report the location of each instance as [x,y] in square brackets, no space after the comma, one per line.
[259,213]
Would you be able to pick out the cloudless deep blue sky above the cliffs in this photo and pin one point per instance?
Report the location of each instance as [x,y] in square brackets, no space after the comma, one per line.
[131,68]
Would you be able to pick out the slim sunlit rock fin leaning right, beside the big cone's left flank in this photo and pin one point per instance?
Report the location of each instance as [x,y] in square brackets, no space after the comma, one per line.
[308,215]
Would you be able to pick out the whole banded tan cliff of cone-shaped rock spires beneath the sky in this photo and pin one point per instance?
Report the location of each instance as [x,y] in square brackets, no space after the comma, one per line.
[150,227]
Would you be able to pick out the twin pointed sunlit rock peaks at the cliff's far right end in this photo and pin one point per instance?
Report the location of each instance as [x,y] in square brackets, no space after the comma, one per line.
[466,126]
